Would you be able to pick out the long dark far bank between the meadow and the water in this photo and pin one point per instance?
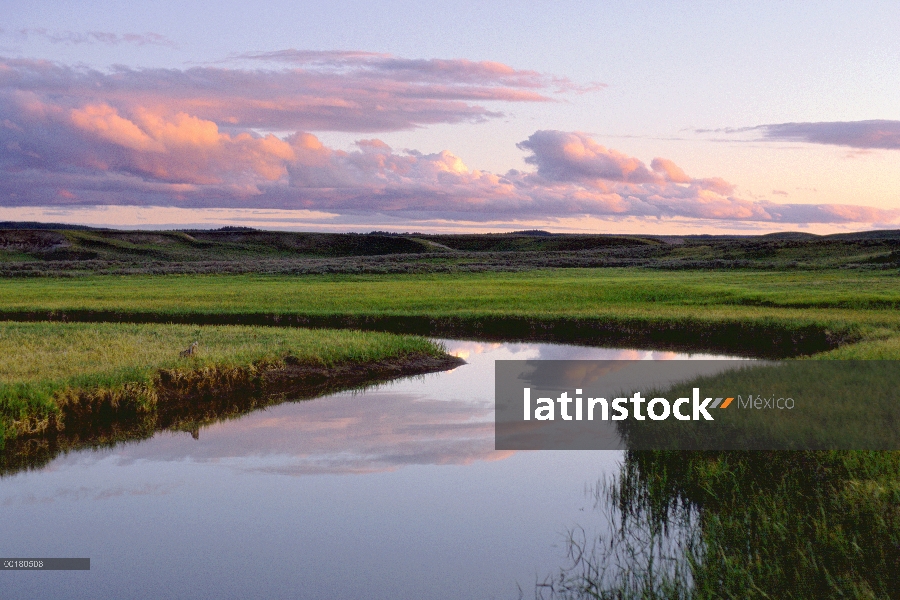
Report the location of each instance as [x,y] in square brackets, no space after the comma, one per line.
[757,338]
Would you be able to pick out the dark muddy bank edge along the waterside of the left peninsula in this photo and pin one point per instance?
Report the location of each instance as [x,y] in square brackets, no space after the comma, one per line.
[183,400]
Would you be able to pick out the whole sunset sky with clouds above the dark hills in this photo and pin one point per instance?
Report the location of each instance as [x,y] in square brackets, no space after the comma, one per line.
[600,117]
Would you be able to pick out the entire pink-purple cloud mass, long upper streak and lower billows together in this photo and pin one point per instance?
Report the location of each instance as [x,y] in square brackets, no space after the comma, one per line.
[201,138]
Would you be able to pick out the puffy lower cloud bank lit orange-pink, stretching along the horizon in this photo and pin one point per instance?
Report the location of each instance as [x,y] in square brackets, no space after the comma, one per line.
[189,162]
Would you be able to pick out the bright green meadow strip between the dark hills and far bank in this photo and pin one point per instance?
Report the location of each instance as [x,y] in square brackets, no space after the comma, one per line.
[856,305]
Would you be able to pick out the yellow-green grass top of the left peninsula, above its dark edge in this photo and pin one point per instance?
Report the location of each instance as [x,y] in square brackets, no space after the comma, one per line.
[42,363]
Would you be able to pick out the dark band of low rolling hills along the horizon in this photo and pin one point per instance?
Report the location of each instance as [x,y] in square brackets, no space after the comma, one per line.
[31,249]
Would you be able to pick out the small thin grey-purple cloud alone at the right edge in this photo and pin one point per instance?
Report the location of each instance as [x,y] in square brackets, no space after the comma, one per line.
[866,135]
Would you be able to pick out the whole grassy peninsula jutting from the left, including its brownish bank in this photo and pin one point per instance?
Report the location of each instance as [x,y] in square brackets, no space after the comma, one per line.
[58,378]
